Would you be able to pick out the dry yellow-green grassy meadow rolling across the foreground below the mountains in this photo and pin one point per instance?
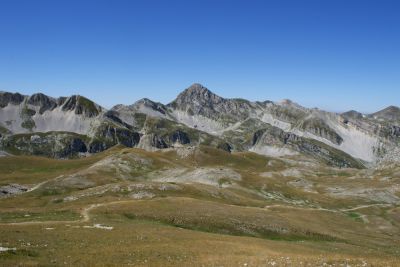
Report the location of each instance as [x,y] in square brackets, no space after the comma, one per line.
[280,213]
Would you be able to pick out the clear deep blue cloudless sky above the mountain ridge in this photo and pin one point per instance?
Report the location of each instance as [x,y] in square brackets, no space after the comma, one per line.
[332,54]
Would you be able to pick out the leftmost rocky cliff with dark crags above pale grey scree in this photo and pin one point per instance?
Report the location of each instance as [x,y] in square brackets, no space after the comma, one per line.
[41,113]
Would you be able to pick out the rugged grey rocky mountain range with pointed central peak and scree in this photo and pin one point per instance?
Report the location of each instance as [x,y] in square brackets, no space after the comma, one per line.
[75,126]
